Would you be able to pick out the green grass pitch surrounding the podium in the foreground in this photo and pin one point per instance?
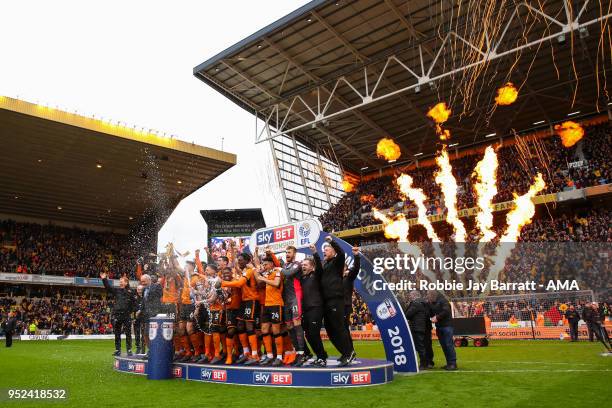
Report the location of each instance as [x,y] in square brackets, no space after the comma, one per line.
[506,374]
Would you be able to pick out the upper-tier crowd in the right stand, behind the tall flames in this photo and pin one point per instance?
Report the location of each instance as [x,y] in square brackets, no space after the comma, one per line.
[518,163]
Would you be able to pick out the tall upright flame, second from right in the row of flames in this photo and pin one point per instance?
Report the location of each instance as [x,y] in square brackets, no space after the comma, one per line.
[485,173]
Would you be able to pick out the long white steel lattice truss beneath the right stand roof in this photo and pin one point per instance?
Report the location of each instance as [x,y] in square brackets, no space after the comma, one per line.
[278,116]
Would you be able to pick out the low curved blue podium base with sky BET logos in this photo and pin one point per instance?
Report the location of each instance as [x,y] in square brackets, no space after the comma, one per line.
[362,372]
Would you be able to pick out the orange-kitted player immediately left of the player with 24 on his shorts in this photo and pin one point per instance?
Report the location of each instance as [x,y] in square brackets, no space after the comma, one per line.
[244,279]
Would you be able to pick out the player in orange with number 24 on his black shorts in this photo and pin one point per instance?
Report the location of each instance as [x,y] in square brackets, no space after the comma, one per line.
[272,312]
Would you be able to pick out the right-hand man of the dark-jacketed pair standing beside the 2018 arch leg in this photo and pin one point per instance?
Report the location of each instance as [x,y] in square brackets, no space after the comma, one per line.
[441,315]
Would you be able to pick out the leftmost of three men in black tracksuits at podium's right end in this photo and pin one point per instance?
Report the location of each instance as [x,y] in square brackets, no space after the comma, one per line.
[312,305]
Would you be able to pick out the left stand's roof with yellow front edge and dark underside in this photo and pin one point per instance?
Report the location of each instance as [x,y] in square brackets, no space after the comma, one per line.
[62,166]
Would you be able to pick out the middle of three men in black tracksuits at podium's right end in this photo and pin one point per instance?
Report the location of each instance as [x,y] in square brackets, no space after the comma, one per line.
[333,301]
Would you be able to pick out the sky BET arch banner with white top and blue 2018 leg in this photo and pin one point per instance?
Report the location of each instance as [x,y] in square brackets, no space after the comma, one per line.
[382,304]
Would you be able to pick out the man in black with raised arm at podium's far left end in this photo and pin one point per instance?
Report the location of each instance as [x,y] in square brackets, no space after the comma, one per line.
[122,310]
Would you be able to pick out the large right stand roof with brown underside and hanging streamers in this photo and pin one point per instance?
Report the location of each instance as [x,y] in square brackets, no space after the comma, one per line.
[304,74]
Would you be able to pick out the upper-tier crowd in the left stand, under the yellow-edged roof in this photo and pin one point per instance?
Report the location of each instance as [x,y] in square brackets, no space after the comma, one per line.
[55,250]
